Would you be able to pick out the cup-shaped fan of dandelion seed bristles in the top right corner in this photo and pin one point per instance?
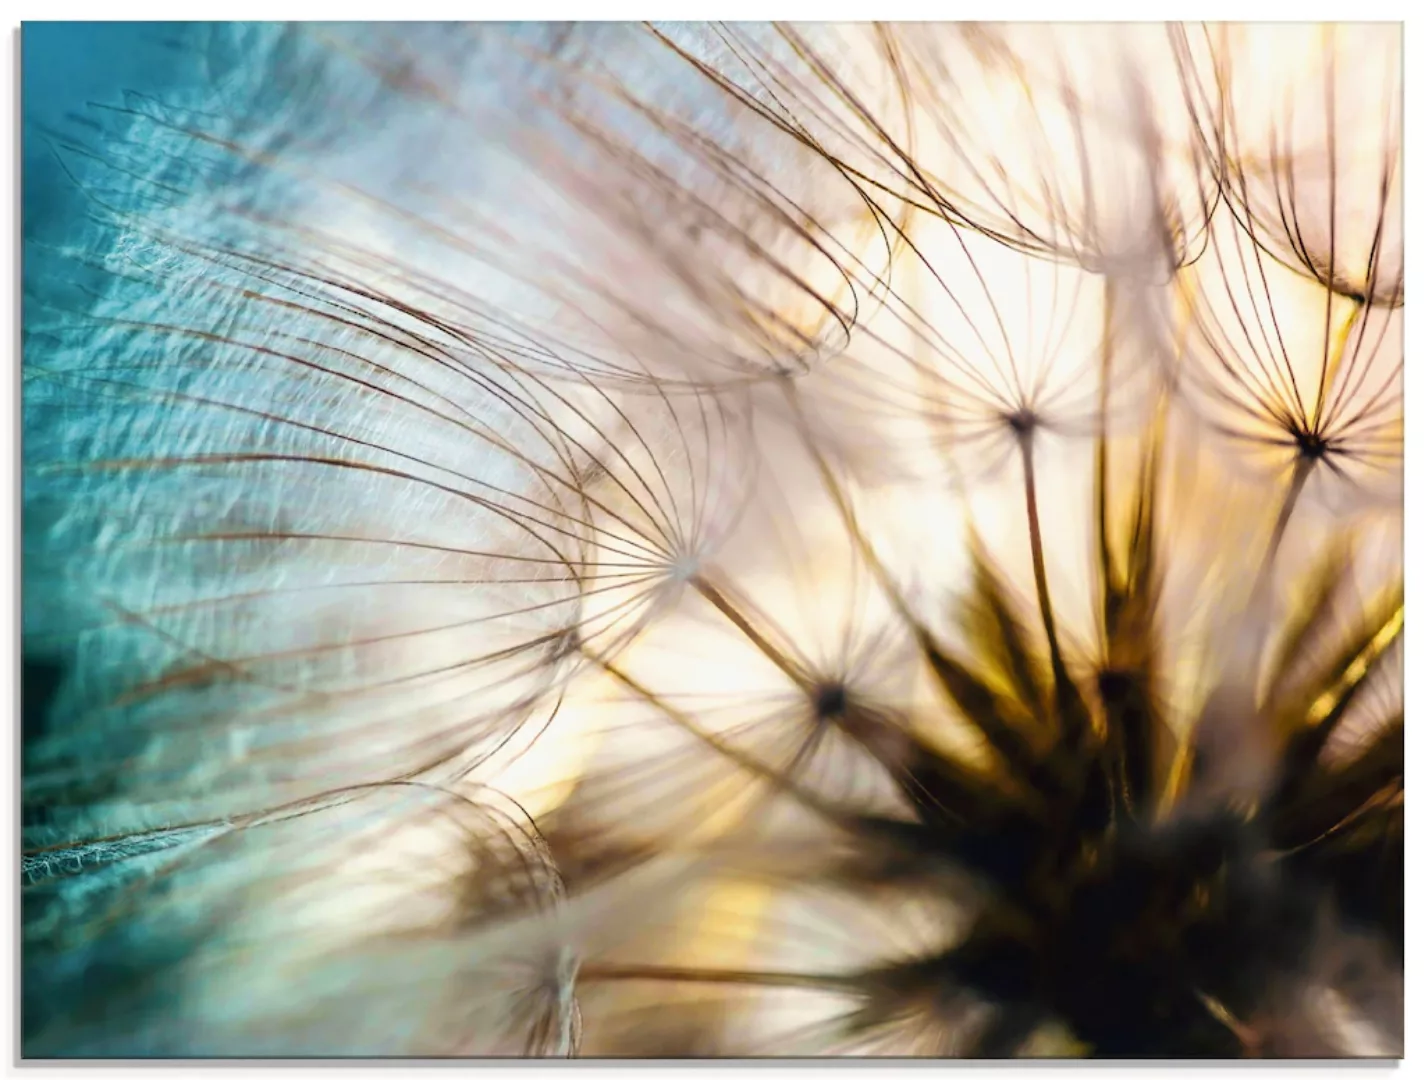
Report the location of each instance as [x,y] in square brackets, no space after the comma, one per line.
[1309,155]
